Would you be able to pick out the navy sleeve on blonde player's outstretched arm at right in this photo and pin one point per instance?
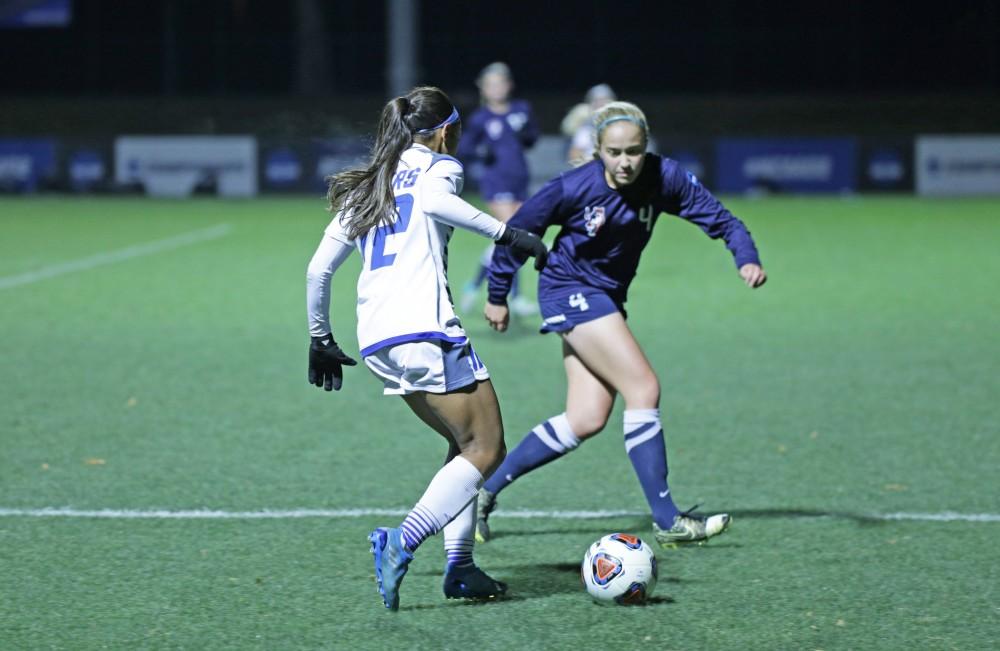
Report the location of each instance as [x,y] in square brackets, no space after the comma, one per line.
[697,205]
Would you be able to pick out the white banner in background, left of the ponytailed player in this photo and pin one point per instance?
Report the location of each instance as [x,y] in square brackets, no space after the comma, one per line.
[175,166]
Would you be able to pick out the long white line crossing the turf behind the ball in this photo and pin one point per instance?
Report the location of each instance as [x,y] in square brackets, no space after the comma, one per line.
[276,514]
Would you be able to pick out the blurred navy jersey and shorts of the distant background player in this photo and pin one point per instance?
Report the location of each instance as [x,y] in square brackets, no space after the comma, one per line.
[498,141]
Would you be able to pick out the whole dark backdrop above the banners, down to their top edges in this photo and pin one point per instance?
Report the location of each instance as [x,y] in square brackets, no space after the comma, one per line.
[304,68]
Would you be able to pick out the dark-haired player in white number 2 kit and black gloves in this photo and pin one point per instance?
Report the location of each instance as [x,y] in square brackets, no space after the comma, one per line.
[399,212]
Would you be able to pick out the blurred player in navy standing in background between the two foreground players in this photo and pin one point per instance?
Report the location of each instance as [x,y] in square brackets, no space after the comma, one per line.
[496,136]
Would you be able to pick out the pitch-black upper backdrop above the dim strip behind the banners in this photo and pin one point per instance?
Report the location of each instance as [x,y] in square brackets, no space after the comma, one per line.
[164,47]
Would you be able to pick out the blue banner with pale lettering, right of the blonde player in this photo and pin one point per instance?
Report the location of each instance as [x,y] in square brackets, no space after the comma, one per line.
[796,165]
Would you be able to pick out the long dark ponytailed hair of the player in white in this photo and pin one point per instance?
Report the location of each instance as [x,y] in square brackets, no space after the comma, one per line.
[364,194]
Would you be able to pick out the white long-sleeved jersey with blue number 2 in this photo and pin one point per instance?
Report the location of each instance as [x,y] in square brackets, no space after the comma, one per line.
[403,290]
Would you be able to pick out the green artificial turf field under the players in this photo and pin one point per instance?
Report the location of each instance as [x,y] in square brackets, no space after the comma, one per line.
[143,372]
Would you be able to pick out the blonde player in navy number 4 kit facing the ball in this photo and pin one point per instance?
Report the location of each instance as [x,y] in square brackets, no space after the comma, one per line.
[606,210]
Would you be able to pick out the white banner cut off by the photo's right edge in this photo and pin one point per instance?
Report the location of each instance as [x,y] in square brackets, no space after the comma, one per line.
[958,165]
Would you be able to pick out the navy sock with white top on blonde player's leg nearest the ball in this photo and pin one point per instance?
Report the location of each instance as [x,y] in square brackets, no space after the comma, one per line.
[648,453]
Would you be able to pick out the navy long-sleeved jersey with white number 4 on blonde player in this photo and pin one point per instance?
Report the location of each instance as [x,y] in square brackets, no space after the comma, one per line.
[604,231]
